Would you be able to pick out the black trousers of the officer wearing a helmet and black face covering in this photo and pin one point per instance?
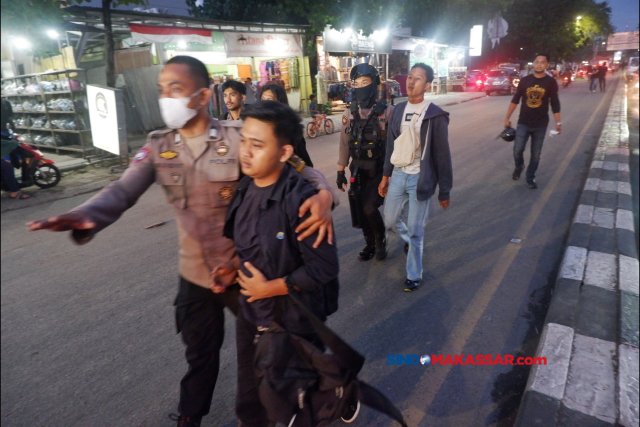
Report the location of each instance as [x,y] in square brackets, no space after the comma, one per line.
[369,203]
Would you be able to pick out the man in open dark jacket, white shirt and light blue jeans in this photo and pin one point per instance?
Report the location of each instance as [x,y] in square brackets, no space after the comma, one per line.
[416,183]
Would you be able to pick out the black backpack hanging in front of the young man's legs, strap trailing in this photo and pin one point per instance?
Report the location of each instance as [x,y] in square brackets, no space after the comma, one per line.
[301,385]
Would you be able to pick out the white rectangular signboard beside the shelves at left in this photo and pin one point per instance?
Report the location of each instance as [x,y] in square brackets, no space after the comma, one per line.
[108,123]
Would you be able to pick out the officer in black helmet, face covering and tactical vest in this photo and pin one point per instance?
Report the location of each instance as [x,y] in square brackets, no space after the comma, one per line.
[362,148]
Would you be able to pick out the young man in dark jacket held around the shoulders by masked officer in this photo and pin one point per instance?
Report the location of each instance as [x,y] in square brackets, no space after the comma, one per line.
[261,220]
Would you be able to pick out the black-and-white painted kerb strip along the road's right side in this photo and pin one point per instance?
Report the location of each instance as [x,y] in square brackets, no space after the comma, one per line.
[590,337]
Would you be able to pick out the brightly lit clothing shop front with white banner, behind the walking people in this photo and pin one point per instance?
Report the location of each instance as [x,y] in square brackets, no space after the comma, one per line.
[274,57]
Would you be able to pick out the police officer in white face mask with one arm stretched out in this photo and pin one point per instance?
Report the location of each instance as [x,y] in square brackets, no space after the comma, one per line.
[196,163]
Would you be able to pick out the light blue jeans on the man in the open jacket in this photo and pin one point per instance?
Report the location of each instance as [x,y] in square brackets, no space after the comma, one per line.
[402,191]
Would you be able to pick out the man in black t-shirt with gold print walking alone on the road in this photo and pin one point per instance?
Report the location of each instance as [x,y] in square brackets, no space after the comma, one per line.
[537,91]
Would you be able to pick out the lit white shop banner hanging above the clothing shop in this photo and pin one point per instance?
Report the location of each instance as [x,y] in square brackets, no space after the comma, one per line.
[262,44]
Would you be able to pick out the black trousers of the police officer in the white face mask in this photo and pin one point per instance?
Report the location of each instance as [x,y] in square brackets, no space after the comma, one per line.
[200,320]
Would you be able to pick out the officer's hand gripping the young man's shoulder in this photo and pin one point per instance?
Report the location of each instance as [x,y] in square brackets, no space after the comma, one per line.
[320,218]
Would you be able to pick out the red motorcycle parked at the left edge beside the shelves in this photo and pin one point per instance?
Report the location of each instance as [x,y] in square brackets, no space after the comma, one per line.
[36,169]
